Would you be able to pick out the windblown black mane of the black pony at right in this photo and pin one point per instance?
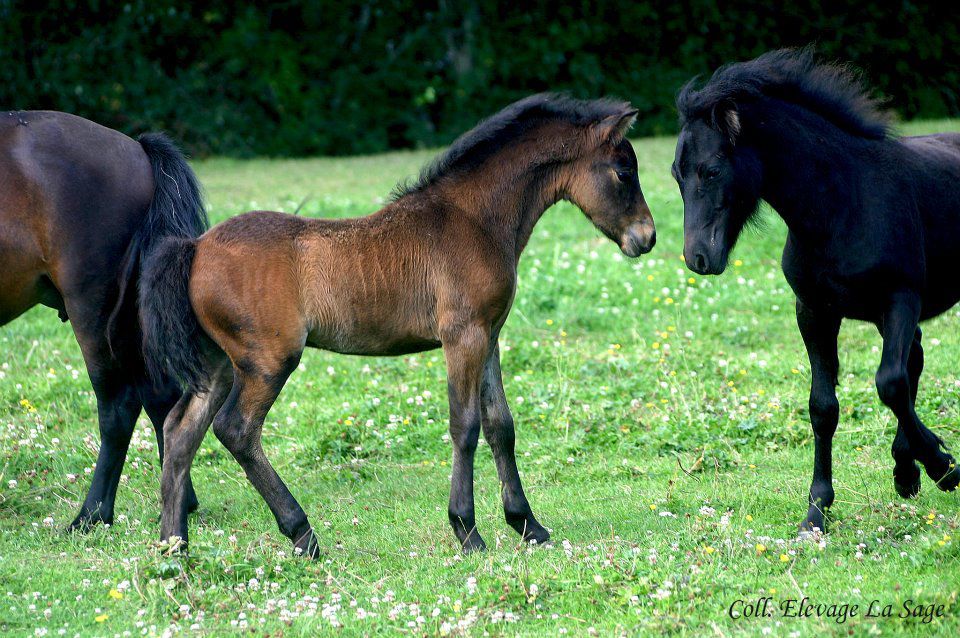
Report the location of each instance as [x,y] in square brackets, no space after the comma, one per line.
[835,92]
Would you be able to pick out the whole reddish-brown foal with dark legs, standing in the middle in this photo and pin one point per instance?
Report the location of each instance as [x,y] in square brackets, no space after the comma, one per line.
[231,313]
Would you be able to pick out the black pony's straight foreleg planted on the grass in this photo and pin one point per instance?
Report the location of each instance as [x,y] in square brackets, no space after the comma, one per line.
[819,330]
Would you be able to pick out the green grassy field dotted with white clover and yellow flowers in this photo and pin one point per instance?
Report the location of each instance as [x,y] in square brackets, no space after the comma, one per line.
[662,433]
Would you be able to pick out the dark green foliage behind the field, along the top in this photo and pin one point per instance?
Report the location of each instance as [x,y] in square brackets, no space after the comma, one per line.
[298,78]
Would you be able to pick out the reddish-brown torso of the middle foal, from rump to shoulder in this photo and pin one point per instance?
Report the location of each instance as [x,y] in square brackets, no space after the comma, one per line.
[375,285]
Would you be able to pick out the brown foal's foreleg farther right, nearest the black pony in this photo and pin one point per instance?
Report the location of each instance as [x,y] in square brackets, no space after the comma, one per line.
[498,430]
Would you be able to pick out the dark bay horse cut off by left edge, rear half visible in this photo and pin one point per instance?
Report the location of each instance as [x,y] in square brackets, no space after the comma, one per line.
[80,205]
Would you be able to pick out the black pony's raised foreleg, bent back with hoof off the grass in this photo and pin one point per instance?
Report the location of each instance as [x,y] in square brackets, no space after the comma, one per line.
[899,325]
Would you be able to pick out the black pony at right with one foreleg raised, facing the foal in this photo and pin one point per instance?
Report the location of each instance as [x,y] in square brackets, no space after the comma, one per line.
[873,219]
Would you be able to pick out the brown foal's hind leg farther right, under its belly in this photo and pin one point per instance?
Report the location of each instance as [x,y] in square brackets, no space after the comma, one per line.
[239,426]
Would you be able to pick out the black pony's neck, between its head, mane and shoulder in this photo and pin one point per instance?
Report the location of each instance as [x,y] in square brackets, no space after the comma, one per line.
[808,165]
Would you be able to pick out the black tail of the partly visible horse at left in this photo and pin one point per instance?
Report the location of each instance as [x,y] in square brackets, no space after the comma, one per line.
[176,211]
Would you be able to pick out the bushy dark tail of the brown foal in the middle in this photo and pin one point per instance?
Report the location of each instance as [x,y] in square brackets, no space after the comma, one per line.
[171,334]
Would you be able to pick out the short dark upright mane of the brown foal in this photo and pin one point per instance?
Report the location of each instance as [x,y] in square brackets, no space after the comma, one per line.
[477,145]
